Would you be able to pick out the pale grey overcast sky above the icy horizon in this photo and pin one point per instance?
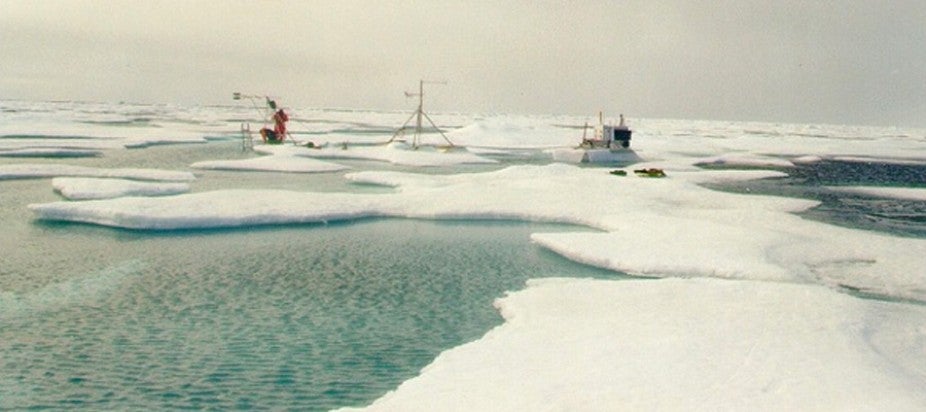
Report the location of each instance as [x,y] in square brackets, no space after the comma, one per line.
[855,61]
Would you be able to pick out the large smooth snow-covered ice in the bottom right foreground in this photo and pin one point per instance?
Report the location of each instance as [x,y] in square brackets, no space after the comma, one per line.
[589,345]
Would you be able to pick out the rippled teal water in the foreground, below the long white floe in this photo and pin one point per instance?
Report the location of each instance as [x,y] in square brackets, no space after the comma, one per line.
[309,317]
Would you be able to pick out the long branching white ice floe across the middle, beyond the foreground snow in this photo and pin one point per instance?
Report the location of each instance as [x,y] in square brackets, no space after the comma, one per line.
[652,227]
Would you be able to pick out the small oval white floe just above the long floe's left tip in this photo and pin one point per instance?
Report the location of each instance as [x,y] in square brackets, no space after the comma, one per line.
[80,188]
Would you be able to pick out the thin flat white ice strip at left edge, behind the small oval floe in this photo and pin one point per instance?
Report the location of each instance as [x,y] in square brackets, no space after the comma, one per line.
[38,170]
